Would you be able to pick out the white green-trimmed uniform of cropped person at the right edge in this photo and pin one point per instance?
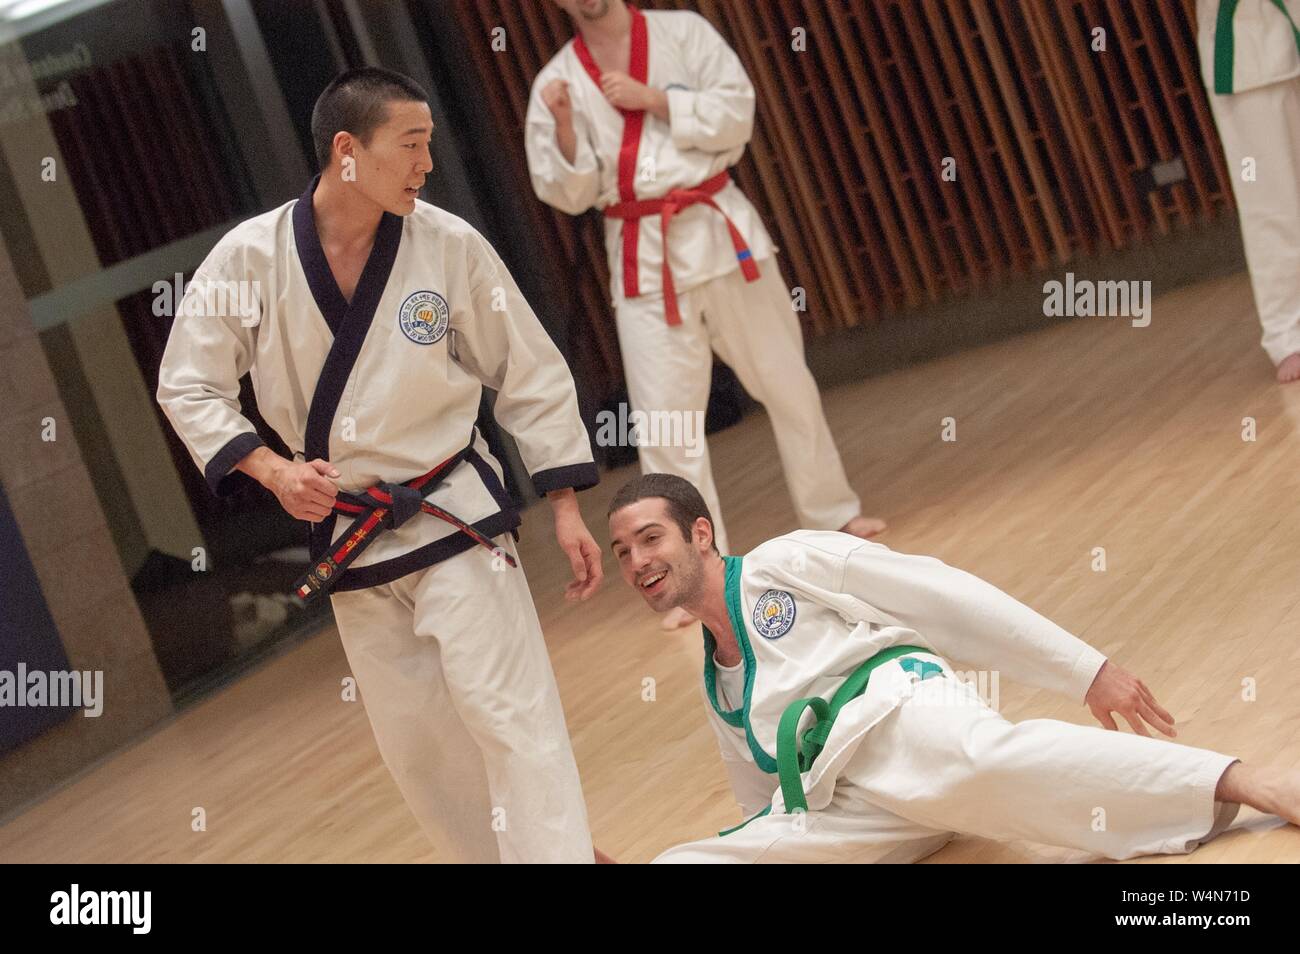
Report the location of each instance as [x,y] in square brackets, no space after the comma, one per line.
[1250,54]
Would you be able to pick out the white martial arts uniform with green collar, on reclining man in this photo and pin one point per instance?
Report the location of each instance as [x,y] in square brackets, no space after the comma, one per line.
[920,756]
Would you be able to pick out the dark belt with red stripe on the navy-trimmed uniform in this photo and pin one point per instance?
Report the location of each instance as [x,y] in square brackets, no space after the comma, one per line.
[383,508]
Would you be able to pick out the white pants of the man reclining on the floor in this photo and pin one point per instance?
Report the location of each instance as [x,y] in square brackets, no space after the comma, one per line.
[933,769]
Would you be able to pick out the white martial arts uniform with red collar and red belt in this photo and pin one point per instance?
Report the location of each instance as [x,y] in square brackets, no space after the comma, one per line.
[627,157]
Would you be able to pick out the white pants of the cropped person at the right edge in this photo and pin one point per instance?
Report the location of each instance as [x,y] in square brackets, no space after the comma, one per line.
[1264,124]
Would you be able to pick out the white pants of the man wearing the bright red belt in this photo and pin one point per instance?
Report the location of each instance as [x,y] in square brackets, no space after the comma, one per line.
[753,329]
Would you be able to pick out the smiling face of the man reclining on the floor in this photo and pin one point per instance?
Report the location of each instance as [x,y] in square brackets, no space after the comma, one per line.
[655,558]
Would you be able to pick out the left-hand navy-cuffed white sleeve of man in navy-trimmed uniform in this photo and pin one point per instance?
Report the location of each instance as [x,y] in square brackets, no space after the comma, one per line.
[209,350]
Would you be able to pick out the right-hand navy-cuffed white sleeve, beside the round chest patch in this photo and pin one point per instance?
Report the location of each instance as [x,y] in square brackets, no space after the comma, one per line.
[501,342]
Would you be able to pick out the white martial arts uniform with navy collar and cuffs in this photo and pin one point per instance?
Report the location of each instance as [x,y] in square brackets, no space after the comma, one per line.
[441,635]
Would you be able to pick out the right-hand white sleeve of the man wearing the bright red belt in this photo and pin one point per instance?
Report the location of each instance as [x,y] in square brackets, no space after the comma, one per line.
[718,115]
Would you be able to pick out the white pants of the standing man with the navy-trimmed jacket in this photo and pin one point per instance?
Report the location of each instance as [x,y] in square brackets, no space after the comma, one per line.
[461,695]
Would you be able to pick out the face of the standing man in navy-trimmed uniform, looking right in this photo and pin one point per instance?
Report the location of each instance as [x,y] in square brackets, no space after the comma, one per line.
[392,166]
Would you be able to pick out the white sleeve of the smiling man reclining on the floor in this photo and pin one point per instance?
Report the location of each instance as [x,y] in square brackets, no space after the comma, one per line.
[963,617]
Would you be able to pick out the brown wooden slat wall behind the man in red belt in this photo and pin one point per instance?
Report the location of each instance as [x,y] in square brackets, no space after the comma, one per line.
[846,161]
